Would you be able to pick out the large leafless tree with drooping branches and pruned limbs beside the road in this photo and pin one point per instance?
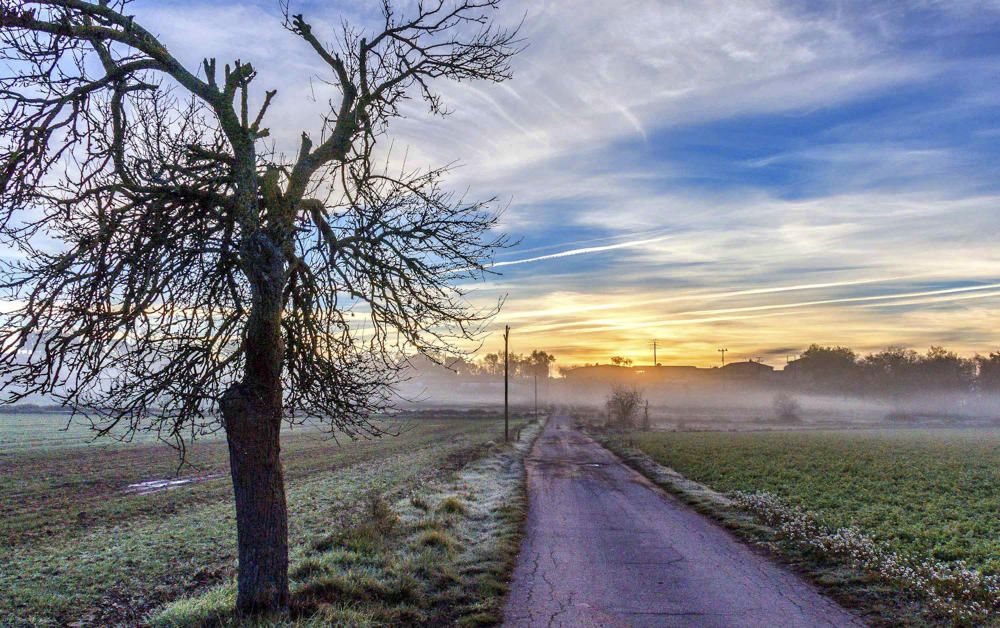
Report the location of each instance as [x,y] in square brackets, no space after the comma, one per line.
[199,278]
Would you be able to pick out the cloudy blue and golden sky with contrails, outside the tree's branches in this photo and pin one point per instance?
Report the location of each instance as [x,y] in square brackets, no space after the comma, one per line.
[755,175]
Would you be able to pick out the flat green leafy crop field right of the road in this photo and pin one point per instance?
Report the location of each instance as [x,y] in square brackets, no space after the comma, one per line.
[929,493]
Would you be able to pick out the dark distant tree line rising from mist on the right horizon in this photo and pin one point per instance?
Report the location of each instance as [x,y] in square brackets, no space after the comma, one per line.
[895,370]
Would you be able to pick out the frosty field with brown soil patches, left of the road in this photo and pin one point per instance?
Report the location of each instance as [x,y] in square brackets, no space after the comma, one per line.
[78,548]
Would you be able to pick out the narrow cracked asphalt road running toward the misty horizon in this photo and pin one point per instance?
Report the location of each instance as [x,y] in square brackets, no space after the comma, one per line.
[605,547]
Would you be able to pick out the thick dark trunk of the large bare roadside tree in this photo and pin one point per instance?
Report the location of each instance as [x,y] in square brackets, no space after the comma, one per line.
[251,413]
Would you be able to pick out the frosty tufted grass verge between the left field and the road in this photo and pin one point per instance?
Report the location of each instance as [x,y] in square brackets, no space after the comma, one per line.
[441,554]
